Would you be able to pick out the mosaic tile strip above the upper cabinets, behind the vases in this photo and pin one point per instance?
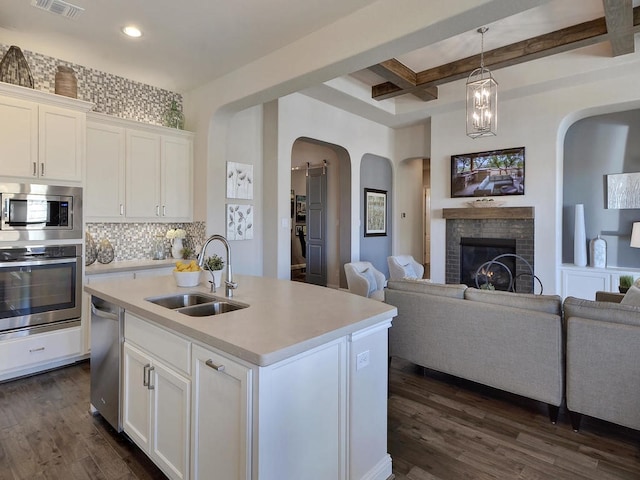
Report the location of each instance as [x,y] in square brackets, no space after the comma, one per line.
[111,94]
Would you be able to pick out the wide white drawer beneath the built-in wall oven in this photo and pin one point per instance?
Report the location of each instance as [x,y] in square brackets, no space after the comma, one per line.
[22,353]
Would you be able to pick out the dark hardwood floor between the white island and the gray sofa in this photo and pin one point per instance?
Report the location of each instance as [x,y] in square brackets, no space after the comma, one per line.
[441,427]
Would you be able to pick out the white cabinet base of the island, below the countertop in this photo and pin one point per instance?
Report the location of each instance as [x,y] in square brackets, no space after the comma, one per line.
[203,414]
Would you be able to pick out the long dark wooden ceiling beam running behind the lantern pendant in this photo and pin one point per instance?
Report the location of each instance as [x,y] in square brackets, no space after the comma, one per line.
[563,40]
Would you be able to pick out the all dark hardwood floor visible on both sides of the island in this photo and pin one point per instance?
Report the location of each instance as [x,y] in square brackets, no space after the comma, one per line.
[440,427]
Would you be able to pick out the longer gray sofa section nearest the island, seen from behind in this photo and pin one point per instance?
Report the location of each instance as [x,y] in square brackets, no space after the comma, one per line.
[509,341]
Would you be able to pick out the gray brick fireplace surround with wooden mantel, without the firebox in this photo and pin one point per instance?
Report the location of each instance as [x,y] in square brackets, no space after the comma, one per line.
[515,223]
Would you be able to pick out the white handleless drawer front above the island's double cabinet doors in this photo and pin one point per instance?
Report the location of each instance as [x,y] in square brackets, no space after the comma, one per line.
[171,349]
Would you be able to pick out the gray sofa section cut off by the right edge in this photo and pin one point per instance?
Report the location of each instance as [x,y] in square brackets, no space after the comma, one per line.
[603,361]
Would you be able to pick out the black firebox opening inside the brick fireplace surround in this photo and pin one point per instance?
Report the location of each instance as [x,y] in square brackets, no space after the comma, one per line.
[476,252]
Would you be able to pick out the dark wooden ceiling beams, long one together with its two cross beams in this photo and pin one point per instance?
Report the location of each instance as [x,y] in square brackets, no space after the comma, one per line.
[618,26]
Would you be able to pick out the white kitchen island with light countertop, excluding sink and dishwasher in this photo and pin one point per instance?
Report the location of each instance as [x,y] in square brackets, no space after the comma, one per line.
[292,386]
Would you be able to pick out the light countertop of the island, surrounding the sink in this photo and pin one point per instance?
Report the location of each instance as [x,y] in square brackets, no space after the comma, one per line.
[284,318]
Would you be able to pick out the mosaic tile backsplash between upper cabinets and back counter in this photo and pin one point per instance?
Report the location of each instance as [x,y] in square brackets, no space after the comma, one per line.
[134,241]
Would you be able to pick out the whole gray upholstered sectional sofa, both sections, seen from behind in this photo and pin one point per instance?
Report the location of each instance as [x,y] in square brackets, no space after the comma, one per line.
[517,343]
